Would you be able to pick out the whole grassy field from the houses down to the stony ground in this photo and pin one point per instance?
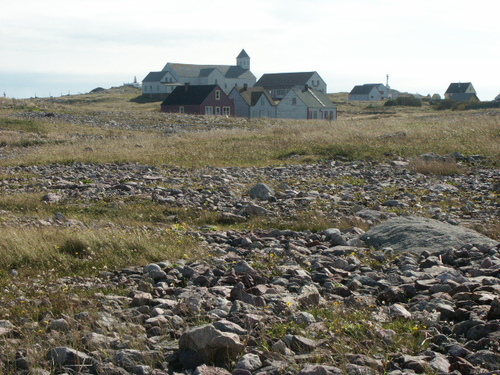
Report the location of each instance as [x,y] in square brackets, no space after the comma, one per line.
[362,131]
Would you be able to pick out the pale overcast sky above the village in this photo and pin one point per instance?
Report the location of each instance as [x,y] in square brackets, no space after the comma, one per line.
[56,47]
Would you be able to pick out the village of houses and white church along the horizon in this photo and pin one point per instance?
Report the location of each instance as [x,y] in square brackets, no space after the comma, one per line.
[232,90]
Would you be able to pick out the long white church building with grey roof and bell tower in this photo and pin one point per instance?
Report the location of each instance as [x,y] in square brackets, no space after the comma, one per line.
[160,84]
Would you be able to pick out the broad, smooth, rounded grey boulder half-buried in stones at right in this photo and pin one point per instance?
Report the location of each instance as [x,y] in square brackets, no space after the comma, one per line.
[418,234]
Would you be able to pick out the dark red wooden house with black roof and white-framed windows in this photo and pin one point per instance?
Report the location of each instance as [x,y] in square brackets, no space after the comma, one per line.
[199,100]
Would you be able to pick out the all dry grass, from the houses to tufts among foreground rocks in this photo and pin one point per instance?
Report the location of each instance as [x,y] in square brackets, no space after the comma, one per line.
[116,126]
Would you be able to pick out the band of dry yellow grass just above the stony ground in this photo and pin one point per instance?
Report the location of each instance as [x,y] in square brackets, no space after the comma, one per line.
[257,144]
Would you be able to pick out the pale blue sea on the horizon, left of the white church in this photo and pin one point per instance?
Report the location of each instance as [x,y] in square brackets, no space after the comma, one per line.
[37,85]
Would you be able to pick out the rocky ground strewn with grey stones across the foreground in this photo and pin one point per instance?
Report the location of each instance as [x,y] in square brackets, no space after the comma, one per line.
[416,294]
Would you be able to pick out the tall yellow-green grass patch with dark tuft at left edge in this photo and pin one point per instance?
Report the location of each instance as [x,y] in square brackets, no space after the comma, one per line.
[85,251]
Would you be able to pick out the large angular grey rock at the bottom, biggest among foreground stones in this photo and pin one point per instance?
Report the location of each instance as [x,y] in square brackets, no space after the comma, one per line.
[213,346]
